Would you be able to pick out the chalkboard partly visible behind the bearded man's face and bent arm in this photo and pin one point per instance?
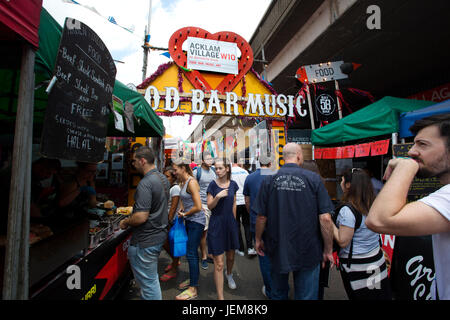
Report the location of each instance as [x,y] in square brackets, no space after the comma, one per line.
[419,187]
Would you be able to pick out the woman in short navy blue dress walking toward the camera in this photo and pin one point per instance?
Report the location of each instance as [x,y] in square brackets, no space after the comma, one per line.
[222,235]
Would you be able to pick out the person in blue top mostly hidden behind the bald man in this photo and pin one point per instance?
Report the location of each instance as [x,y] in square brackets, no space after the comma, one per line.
[251,188]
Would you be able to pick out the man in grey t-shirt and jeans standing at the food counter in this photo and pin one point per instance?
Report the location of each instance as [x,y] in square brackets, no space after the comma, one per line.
[149,222]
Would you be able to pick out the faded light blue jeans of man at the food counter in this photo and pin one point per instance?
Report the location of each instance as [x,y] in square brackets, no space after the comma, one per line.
[144,264]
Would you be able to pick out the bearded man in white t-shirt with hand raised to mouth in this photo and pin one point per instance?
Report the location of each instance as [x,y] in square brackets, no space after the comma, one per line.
[390,214]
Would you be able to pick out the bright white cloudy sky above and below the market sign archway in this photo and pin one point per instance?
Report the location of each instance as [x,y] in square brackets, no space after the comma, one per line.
[167,16]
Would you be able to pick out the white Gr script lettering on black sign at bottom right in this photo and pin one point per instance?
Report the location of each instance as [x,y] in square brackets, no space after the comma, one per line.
[415,268]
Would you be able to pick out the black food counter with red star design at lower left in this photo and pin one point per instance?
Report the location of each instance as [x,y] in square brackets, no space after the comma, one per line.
[88,261]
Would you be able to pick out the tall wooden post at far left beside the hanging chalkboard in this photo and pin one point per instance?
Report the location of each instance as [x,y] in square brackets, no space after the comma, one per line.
[16,281]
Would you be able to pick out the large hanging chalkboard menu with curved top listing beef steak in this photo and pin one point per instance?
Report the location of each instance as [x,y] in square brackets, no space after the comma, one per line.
[77,114]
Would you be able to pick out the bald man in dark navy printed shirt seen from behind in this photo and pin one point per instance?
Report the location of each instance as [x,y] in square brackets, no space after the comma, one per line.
[294,209]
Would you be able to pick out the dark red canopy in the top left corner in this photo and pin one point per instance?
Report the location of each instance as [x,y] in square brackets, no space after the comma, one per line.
[22,18]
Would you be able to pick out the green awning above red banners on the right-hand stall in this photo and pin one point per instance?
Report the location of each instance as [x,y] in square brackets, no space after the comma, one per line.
[379,118]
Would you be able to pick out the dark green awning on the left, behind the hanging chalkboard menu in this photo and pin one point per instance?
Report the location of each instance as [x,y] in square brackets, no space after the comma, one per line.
[146,124]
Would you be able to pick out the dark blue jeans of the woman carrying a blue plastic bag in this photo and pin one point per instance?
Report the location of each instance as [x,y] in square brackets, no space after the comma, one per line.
[194,231]
